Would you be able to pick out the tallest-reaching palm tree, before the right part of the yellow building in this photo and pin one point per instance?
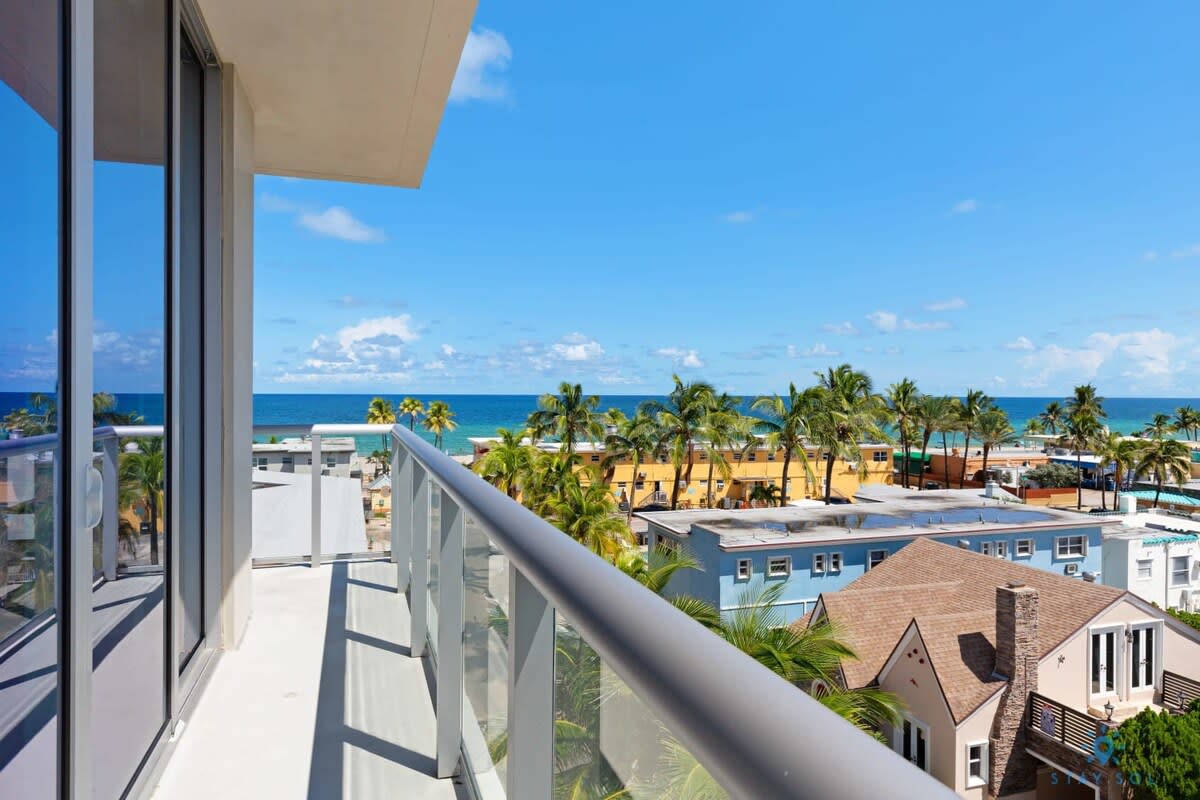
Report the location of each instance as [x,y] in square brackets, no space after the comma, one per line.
[848,412]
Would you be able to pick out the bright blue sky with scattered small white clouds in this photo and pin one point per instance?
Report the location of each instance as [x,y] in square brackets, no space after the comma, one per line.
[1004,199]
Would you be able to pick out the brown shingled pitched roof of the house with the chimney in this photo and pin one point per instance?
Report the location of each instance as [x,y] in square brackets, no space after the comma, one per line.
[956,617]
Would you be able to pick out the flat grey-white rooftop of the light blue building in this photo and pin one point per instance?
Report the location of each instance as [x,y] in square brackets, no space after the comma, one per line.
[944,513]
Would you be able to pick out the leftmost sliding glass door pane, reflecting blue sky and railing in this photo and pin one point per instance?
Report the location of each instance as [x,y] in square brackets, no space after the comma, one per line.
[31,377]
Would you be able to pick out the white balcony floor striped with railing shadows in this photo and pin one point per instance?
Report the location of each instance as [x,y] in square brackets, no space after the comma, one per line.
[322,700]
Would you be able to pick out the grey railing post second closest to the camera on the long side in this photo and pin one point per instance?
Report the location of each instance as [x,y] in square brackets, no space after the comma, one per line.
[451,588]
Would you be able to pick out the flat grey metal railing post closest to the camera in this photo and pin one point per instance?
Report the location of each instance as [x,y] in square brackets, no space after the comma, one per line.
[531,768]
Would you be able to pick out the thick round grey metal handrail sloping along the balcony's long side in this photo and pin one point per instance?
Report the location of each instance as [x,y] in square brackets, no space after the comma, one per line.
[758,735]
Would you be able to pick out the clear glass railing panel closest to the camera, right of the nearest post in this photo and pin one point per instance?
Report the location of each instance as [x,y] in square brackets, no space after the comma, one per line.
[608,744]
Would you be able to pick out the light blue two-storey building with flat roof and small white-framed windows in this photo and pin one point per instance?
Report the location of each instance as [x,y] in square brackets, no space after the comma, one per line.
[818,549]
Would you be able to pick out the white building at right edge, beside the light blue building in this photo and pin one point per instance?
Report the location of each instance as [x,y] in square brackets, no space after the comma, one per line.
[1156,557]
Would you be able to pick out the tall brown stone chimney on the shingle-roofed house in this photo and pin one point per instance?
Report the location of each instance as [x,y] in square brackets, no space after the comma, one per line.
[1011,769]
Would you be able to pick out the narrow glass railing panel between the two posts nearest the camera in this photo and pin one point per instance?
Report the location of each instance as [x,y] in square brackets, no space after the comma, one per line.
[485,649]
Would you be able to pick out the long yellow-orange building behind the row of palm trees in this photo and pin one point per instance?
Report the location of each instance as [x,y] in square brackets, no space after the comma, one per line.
[747,471]
